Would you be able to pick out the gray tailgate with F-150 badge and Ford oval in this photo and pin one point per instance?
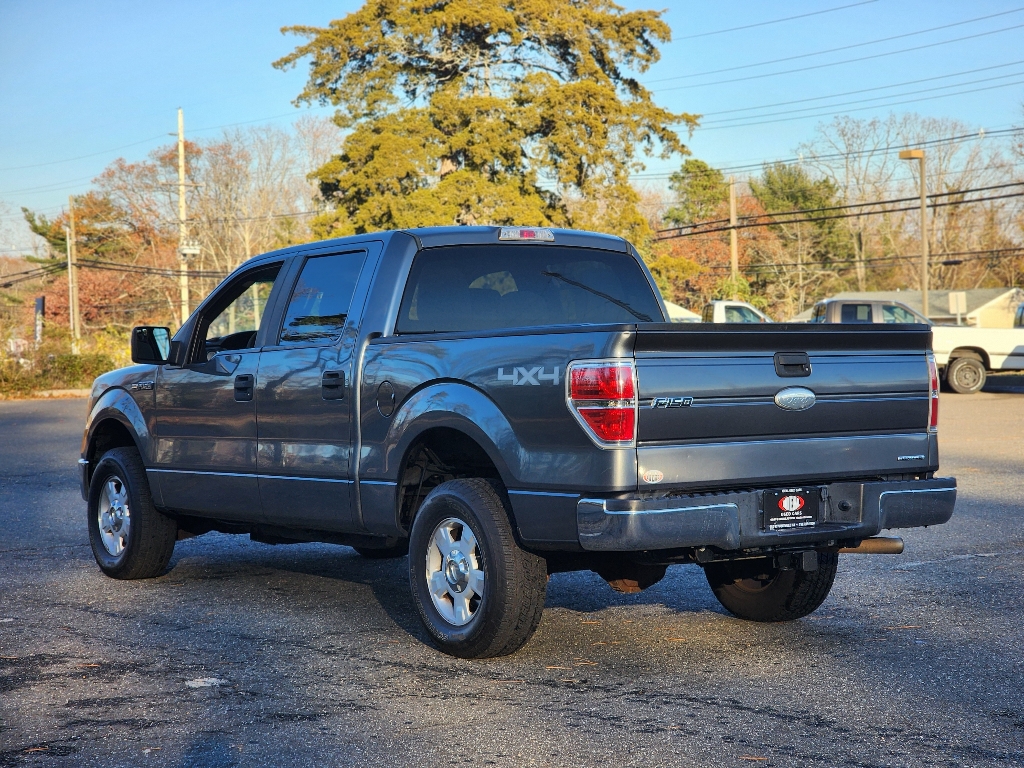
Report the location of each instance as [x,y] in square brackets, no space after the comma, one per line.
[709,416]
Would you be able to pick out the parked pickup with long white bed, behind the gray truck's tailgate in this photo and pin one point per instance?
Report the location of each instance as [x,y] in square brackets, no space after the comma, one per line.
[964,355]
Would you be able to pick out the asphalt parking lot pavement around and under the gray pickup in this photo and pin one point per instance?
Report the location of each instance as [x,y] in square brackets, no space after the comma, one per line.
[251,655]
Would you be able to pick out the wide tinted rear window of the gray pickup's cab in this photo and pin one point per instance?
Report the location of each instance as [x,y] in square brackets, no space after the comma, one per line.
[480,288]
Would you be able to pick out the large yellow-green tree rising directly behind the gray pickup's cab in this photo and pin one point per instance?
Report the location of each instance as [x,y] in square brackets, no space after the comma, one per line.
[466,113]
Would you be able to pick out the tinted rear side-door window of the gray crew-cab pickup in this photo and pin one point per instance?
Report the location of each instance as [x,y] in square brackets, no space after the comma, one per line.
[319,305]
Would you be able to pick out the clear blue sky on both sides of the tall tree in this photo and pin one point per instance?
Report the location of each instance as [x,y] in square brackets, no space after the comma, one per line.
[83,83]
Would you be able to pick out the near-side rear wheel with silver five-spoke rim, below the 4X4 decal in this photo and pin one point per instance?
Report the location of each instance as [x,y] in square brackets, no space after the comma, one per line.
[515,582]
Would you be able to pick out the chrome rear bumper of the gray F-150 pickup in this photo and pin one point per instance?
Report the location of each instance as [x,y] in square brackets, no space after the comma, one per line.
[733,522]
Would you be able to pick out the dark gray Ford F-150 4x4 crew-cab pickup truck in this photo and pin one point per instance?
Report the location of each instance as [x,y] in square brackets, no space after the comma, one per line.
[503,404]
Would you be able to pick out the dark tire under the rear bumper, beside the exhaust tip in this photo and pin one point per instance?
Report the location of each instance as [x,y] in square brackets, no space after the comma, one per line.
[760,592]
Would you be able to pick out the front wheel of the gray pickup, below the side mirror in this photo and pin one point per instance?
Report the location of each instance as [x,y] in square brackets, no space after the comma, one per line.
[144,547]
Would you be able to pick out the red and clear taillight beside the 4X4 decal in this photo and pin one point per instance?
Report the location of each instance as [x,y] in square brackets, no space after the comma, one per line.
[603,398]
